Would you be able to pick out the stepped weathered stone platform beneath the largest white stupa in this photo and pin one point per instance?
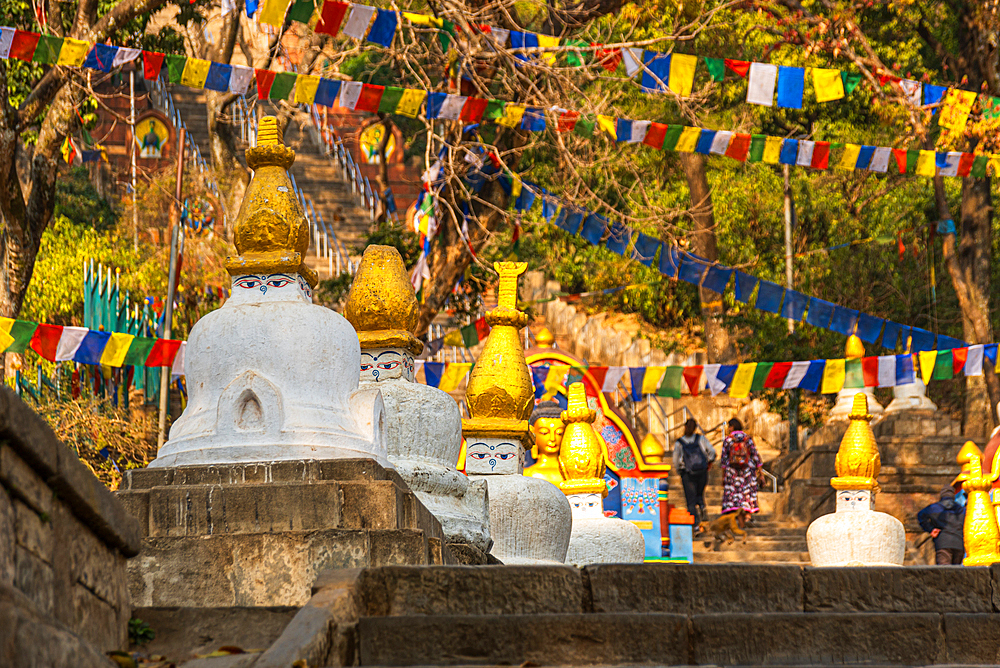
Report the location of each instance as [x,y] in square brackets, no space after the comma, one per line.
[258,534]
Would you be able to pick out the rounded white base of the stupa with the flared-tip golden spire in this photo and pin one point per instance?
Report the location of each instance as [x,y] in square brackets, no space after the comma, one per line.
[530,519]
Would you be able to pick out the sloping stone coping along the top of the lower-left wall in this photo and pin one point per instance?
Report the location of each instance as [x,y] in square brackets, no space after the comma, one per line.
[96,506]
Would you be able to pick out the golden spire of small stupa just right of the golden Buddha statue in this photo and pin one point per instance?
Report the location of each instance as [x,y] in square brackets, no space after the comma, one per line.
[581,457]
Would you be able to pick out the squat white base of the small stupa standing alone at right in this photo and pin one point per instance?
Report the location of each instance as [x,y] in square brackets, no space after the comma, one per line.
[856,538]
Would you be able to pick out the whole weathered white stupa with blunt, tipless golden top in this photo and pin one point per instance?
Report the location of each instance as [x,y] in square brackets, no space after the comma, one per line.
[423,423]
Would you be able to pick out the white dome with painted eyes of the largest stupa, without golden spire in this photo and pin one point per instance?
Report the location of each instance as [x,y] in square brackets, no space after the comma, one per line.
[273,377]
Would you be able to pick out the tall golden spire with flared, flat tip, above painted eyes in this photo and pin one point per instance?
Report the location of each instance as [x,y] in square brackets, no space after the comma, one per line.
[500,394]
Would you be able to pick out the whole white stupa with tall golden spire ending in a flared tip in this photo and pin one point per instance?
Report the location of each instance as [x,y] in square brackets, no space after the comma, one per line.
[530,520]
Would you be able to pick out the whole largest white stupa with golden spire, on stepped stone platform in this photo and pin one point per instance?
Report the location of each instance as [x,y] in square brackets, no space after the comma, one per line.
[272,376]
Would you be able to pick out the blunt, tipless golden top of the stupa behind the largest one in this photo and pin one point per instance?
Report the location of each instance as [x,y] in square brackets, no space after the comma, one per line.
[381,304]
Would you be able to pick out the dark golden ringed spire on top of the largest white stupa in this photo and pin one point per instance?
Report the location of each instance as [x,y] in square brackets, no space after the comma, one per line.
[271,233]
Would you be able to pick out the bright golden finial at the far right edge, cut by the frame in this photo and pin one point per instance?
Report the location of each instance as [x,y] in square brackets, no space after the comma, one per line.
[981,533]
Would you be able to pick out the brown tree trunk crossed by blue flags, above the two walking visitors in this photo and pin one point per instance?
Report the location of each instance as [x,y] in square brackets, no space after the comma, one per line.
[717,341]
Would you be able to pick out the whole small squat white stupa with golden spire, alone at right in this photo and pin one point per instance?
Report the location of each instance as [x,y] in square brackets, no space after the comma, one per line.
[857,535]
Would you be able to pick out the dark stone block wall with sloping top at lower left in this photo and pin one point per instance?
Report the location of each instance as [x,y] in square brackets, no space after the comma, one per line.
[64,538]
